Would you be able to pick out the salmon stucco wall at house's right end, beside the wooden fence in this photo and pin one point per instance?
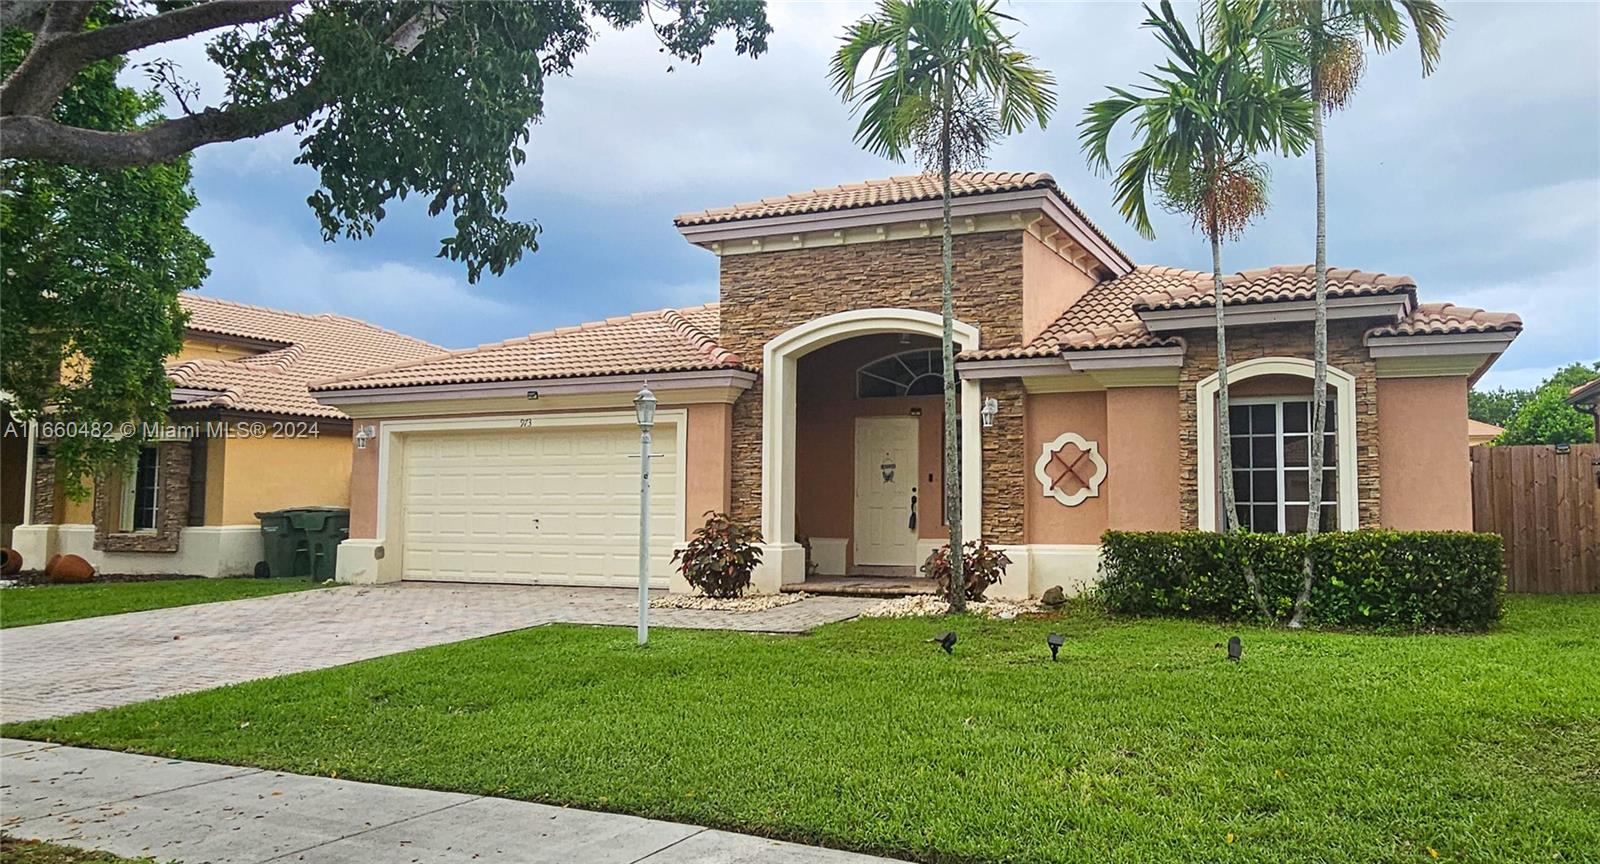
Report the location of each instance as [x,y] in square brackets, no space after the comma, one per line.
[1423,454]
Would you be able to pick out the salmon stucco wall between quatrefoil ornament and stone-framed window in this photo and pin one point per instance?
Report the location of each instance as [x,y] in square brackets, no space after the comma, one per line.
[1142,460]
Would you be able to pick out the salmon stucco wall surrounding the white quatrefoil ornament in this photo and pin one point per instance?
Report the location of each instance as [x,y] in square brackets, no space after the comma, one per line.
[1050,415]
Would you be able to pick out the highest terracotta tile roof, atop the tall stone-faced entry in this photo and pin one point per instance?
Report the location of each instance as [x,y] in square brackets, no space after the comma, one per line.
[887,191]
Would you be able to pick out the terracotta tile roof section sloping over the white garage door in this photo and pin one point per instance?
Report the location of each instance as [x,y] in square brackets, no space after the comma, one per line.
[668,340]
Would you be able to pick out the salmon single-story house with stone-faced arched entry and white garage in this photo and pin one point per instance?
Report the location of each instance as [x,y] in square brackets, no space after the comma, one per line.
[807,404]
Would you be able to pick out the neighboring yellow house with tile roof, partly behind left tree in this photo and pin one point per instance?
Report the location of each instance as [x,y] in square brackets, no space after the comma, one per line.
[242,436]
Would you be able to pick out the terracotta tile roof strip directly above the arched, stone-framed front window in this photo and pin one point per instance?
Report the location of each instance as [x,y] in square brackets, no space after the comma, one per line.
[1178,289]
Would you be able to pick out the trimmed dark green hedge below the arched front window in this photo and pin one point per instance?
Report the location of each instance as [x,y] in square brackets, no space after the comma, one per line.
[1385,580]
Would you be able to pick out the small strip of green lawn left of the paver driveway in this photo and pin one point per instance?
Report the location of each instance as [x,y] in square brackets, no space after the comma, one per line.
[22,607]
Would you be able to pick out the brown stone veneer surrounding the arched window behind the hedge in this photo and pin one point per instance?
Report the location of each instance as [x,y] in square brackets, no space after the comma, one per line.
[1345,353]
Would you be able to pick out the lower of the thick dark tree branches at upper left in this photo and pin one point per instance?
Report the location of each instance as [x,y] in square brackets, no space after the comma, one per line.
[26,137]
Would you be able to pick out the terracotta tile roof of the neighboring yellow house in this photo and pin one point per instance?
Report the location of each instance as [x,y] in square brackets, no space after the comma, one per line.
[274,383]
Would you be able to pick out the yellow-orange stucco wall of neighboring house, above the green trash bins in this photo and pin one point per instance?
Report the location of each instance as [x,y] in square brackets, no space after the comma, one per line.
[270,474]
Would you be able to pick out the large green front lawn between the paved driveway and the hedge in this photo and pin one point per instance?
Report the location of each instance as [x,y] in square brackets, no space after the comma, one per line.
[1142,745]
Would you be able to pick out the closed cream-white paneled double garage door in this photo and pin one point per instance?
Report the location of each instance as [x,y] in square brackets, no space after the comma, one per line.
[550,506]
